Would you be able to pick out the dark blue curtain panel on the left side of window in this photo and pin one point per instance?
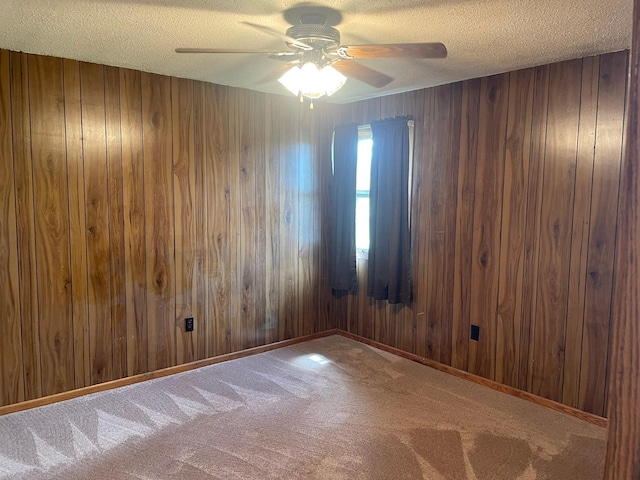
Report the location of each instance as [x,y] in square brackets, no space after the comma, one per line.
[342,233]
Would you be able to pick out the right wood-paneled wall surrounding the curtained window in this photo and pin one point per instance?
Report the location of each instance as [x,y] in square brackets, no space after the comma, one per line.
[514,206]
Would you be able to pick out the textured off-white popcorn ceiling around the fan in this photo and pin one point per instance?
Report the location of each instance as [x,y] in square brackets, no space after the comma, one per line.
[483,36]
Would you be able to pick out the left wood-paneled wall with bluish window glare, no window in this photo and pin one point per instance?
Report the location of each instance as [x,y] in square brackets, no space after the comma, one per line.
[129,201]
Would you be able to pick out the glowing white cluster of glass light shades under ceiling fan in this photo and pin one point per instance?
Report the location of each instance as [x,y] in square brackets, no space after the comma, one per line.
[311,81]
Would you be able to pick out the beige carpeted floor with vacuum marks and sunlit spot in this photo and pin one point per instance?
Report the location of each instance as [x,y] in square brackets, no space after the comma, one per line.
[326,409]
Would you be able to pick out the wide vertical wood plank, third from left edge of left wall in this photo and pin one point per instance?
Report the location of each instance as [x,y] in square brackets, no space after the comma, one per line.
[48,153]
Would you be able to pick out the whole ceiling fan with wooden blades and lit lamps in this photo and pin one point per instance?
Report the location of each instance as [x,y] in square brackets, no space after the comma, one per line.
[316,63]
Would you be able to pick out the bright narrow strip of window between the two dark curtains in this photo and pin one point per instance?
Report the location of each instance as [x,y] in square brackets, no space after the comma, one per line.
[363,180]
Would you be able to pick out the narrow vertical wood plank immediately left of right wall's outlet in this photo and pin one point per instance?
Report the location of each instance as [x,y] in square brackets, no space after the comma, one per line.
[461,322]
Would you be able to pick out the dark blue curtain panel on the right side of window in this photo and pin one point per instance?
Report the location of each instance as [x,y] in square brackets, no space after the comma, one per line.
[389,268]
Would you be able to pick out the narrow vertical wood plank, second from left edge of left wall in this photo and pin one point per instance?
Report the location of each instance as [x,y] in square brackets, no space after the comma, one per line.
[26,235]
